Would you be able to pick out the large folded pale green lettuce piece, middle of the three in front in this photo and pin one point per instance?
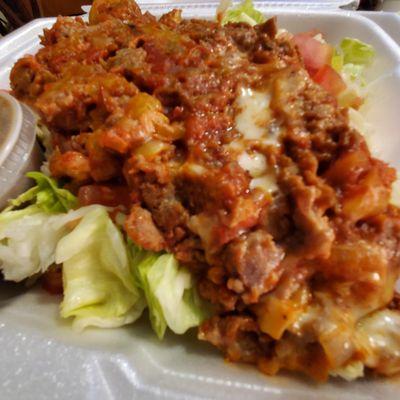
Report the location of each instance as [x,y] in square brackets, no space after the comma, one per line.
[99,285]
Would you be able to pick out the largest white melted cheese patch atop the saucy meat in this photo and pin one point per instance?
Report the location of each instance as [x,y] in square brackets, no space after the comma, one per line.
[252,120]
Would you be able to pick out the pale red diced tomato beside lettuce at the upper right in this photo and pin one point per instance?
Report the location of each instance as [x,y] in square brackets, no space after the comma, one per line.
[315,54]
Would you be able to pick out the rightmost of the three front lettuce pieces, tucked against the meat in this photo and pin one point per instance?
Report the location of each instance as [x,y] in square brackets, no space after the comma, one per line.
[169,290]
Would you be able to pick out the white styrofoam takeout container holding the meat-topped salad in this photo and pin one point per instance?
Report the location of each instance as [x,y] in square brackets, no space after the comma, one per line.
[42,358]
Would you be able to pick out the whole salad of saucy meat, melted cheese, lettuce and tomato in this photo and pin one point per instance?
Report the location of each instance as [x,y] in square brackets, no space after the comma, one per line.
[211,173]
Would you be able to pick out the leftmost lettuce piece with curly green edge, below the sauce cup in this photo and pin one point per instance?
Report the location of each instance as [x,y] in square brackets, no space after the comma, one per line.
[31,227]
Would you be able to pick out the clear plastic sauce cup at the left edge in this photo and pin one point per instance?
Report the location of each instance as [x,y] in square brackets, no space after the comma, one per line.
[19,151]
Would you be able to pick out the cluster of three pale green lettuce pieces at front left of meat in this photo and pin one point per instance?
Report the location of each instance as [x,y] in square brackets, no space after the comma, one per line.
[107,283]
